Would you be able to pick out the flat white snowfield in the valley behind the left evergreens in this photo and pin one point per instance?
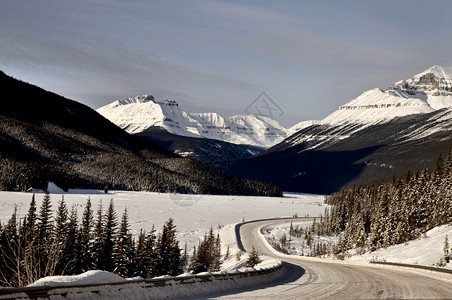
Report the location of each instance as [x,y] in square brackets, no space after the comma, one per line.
[193,214]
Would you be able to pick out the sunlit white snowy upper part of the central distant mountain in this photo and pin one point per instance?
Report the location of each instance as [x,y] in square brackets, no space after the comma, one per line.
[138,114]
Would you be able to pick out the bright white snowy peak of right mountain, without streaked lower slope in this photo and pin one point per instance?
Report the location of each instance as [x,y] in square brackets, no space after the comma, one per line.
[425,92]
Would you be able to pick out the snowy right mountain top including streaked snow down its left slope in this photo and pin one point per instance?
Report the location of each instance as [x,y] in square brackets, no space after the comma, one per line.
[424,93]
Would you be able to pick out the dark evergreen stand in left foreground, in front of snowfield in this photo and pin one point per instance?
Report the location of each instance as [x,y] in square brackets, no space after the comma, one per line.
[40,244]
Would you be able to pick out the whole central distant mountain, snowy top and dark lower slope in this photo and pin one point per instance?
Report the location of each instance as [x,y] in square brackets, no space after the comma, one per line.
[197,135]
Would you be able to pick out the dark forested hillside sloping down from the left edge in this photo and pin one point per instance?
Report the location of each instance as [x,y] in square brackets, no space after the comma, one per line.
[45,137]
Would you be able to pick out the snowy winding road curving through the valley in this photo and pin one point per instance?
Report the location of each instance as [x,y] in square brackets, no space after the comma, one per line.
[313,279]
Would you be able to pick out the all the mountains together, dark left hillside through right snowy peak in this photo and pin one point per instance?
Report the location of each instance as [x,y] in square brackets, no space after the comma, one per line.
[378,135]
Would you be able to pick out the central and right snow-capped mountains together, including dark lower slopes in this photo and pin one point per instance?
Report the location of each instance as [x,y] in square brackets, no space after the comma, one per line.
[373,137]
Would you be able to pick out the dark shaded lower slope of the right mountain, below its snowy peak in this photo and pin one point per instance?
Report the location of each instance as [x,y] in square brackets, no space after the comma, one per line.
[321,159]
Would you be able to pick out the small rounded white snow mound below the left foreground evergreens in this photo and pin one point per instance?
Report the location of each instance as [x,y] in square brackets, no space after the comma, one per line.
[90,277]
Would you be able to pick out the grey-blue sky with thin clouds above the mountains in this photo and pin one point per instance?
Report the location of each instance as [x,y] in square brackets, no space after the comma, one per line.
[309,57]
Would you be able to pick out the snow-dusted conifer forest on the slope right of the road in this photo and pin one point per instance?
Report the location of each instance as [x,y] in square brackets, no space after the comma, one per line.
[370,217]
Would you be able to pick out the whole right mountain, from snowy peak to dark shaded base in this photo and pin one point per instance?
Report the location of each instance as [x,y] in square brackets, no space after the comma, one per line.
[370,139]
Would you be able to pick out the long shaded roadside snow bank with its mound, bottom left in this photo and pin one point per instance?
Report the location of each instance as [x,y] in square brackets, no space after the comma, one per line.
[67,287]
